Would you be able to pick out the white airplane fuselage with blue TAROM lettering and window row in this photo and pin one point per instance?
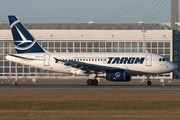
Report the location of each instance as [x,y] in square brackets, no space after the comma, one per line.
[150,65]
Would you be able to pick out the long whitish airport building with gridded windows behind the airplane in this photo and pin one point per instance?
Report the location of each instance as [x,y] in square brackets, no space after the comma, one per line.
[91,37]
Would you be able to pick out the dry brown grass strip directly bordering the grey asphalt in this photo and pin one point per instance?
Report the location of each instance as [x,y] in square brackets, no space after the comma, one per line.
[69,95]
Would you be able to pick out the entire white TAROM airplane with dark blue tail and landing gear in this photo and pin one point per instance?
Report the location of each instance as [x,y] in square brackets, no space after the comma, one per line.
[116,67]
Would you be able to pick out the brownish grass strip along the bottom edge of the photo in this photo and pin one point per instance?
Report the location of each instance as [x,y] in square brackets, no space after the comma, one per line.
[89,115]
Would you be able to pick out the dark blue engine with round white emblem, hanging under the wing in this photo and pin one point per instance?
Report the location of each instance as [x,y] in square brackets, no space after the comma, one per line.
[117,75]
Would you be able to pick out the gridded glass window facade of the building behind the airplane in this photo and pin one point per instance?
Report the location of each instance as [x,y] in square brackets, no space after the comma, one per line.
[8,69]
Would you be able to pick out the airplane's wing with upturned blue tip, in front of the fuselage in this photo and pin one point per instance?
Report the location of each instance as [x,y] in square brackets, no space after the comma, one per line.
[87,66]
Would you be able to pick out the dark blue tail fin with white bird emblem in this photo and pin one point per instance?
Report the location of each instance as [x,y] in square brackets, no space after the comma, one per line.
[23,40]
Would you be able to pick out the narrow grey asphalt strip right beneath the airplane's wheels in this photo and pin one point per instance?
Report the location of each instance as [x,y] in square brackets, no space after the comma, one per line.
[85,87]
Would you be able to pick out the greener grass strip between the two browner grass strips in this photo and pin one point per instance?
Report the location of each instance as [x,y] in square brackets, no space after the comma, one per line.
[89,105]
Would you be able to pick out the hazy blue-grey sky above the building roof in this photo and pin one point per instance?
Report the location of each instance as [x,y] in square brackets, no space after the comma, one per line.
[85,10]
